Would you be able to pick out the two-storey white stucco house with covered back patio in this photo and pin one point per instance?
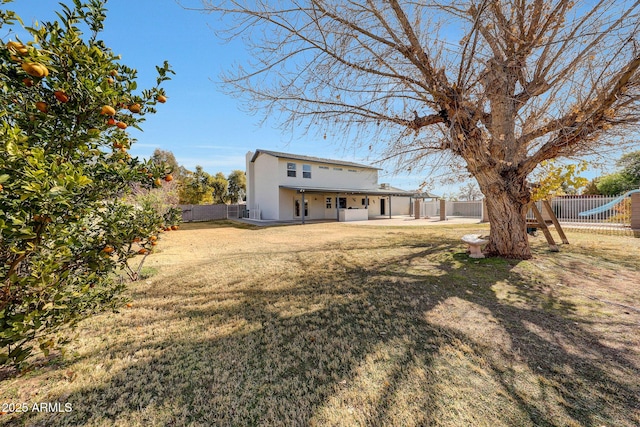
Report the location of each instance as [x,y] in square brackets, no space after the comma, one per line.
[288,187]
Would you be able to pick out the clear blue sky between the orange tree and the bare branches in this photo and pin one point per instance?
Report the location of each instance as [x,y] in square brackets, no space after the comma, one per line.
[199,123]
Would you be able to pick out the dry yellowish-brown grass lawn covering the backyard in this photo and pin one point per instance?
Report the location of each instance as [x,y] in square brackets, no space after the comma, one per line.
[342,325]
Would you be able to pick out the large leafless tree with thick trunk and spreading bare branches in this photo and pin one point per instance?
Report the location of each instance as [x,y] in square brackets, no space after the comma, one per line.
[498,85]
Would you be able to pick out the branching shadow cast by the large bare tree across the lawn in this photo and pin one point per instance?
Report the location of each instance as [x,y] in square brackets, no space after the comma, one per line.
[425,338]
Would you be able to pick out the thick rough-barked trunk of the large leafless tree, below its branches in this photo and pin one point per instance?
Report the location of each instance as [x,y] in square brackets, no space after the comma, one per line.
[507,209]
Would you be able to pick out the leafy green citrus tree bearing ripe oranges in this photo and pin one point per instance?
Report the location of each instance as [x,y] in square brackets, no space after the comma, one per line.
[66,229]
